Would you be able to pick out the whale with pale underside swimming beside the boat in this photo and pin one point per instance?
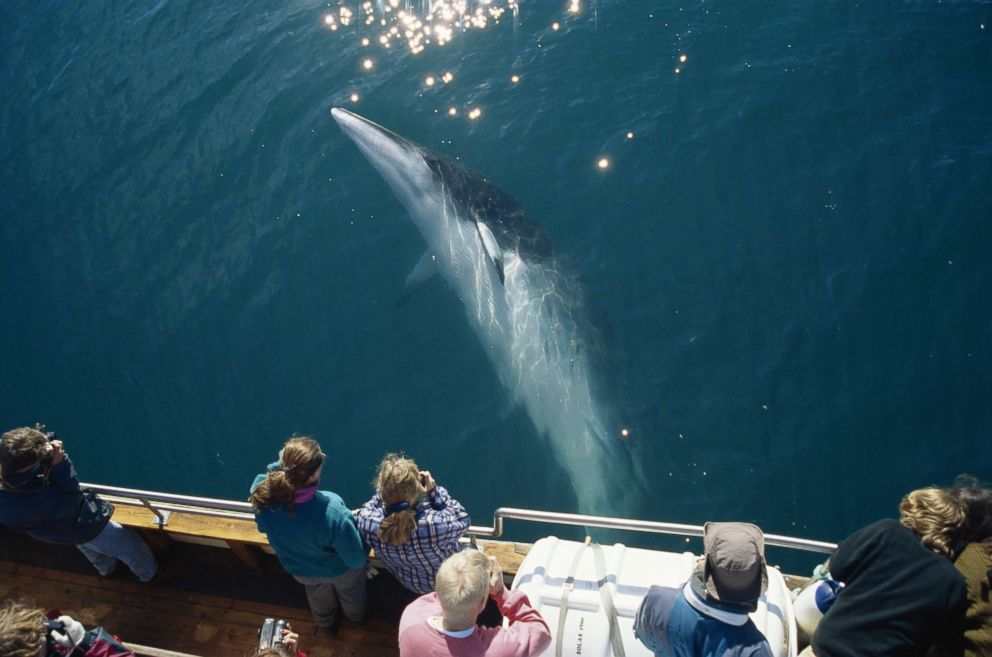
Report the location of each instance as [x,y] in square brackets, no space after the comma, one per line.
[528,314]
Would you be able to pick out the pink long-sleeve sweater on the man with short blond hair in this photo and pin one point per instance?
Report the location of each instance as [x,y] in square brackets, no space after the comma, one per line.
[527,635]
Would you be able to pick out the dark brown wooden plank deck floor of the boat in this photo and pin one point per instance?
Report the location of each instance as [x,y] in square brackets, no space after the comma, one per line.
[213,609]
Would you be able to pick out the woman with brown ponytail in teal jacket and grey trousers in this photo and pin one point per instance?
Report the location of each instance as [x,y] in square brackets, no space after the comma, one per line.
[313,533]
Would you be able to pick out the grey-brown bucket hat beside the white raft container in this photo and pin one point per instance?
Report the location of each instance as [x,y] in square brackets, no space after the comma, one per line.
[734,572]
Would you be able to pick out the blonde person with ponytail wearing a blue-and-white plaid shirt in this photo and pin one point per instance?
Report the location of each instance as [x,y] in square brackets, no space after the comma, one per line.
[412,523]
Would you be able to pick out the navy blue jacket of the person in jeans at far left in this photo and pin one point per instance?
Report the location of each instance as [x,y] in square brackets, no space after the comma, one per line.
[56,511]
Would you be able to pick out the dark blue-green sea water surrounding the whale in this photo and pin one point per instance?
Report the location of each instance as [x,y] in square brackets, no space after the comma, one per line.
[790,258]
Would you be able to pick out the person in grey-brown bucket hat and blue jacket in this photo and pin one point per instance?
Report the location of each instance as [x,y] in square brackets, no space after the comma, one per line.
[708,615]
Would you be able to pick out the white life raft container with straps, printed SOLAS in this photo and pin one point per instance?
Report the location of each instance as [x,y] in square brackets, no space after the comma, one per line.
[555,567]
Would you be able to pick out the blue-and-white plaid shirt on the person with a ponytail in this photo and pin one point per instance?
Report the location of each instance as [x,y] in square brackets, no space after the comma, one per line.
[414,563]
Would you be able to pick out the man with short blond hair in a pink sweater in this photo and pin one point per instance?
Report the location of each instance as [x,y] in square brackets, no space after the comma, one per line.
[442,624]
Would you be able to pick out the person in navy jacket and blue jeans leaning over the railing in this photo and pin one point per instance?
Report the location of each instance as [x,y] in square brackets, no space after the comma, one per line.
[40,496]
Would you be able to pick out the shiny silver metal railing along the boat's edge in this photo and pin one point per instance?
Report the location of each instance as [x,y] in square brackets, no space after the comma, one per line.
[163,504]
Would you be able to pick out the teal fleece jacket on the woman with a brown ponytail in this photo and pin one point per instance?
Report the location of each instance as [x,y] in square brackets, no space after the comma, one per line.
[319,539]
